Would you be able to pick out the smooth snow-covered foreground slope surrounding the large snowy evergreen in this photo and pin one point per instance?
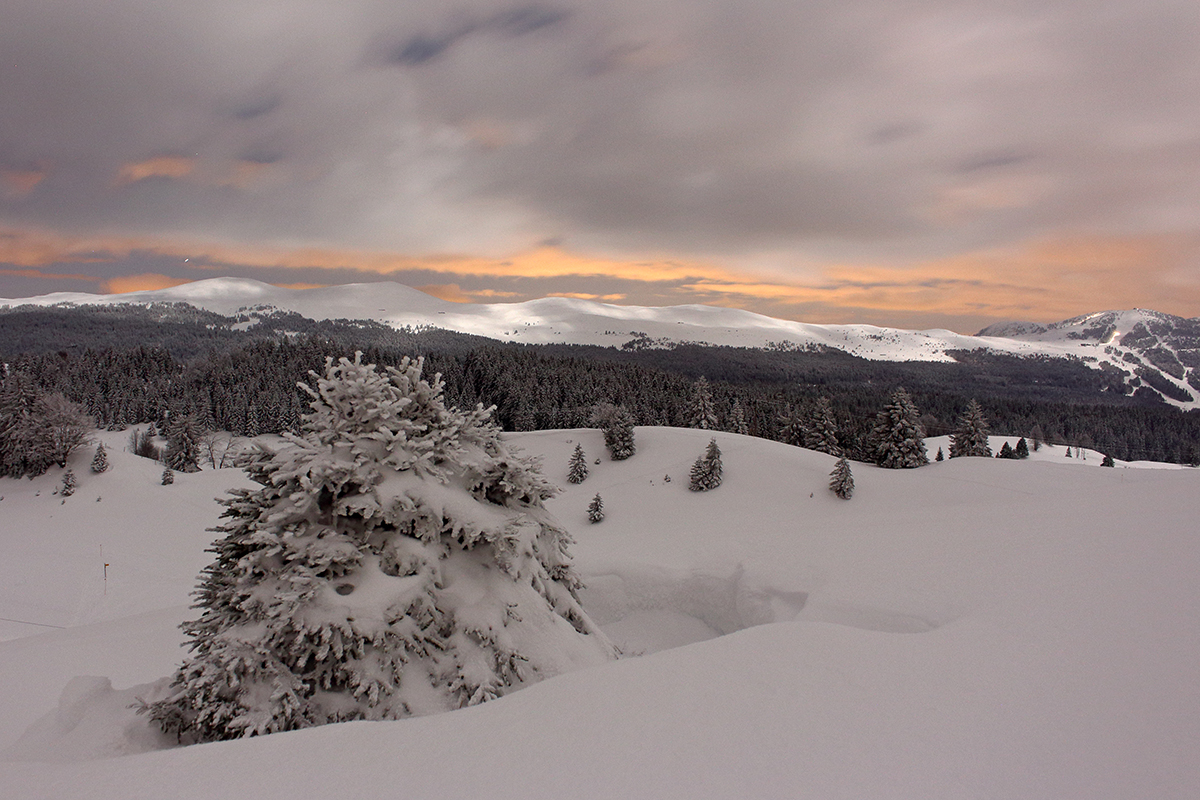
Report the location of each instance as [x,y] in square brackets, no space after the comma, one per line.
[976,628]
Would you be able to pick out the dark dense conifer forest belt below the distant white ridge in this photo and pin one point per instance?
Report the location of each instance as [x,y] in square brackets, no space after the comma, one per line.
[801,398]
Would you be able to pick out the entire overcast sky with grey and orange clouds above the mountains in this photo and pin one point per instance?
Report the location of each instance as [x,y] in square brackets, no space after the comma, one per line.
[916,164]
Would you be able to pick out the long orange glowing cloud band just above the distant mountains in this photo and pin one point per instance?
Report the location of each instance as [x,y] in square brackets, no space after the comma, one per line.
[1046,280]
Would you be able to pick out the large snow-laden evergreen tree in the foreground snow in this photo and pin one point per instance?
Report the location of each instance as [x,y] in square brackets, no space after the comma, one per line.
[397,561]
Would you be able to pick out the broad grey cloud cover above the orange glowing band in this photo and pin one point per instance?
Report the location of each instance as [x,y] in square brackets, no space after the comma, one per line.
[712,128]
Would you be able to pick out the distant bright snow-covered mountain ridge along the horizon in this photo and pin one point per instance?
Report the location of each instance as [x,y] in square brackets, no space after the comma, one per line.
[1155,353]
